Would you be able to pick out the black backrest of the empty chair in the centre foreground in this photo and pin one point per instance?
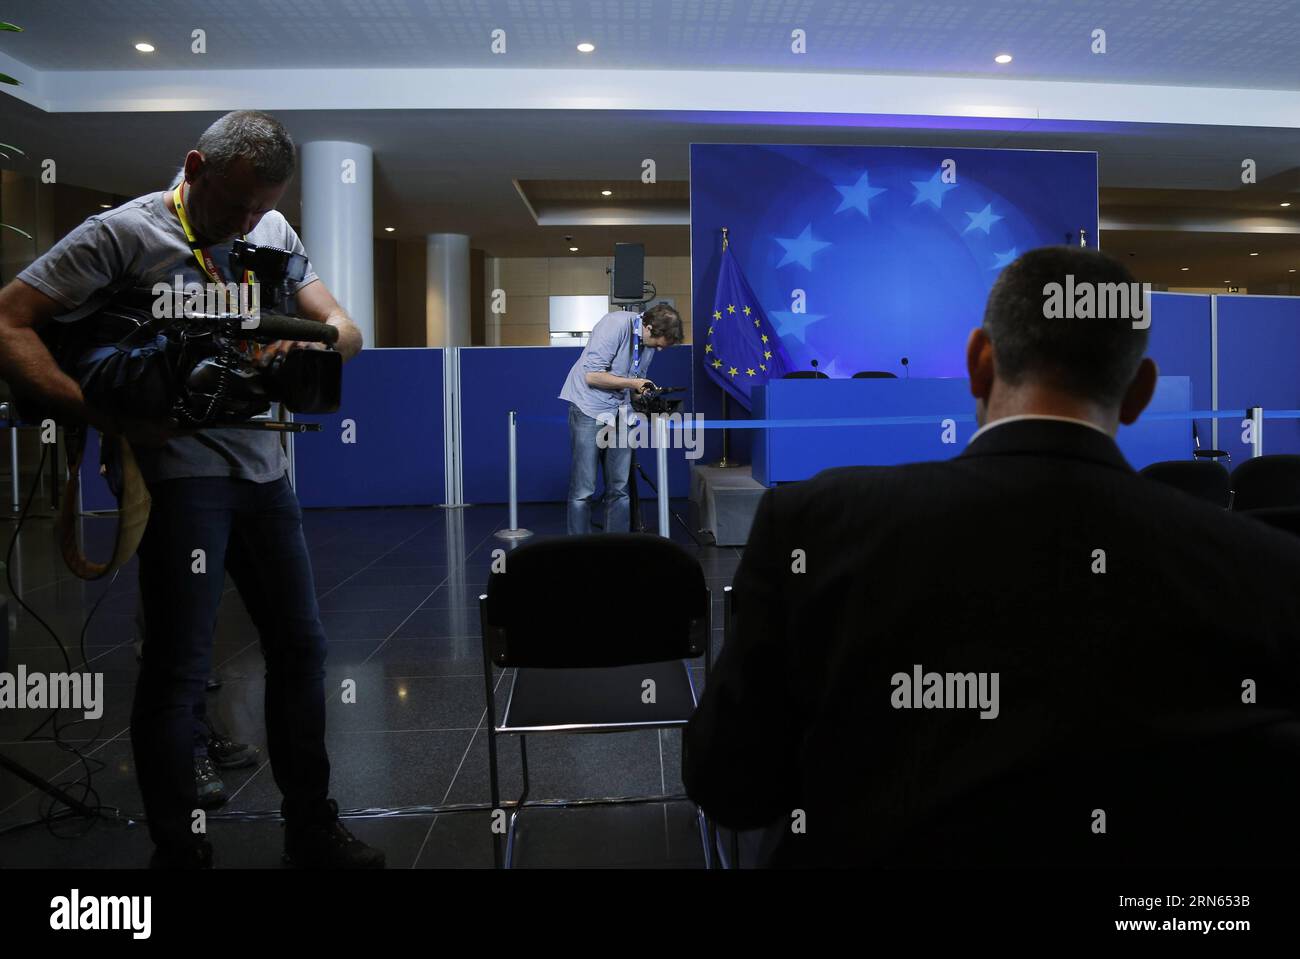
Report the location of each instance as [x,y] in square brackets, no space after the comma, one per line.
[596,601]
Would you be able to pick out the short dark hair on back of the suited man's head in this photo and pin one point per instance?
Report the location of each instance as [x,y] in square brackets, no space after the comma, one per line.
[1045,342]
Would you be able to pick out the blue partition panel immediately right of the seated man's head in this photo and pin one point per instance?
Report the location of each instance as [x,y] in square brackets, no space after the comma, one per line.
[1181,346]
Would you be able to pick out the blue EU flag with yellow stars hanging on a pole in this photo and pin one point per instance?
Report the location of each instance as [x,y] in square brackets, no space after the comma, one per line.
[742,349]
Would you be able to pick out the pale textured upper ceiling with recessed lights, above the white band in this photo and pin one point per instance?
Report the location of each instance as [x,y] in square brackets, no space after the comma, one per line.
[1225,44]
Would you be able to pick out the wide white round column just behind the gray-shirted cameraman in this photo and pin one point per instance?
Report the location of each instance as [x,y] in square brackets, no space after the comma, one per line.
[339,225]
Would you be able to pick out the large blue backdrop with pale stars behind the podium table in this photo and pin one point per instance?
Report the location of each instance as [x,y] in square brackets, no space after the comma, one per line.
[892,261]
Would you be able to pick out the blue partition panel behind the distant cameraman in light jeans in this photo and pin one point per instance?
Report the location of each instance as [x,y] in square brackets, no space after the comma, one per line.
[496,380]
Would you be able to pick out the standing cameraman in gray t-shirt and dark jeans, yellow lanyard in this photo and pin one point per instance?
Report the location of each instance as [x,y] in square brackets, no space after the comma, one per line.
[220,491]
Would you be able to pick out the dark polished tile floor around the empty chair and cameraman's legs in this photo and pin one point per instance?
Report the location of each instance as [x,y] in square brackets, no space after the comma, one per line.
[398,593]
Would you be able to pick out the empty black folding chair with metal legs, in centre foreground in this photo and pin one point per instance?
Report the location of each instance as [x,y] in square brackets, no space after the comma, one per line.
[586,659]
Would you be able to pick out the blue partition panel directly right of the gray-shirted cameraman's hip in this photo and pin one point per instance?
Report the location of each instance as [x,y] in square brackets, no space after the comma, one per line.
[395,400]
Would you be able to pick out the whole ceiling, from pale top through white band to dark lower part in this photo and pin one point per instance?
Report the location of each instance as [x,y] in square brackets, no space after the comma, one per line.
[669,73]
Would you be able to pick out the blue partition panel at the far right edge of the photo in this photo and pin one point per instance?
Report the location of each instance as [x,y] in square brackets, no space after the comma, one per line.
[1259,350]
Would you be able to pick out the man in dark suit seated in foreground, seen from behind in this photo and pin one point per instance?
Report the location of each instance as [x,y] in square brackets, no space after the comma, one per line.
[1026,654]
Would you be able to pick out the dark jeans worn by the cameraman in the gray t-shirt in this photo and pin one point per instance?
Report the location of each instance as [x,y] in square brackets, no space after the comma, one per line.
[254,532]
